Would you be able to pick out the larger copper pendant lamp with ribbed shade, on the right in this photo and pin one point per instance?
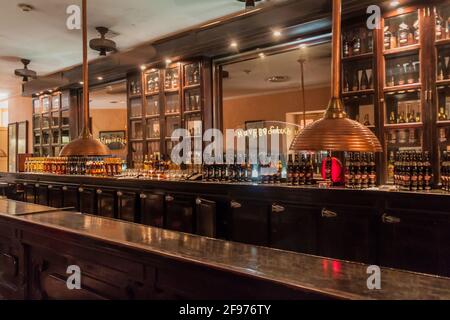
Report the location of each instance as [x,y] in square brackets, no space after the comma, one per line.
[335,131]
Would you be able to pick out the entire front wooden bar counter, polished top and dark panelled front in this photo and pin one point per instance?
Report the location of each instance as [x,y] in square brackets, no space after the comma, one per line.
[120,260]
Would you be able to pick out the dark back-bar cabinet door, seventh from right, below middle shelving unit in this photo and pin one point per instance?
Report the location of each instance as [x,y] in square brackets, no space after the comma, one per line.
[152,209]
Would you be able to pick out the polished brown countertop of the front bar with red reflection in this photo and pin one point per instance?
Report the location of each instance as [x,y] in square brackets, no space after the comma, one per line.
[333,278]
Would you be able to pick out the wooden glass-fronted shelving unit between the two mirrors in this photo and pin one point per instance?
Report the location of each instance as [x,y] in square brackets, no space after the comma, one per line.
[176,96]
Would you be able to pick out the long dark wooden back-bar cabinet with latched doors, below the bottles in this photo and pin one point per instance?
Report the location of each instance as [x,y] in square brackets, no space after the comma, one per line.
[406,230]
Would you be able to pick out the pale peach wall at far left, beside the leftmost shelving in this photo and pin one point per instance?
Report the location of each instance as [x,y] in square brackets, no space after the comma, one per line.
[20,109]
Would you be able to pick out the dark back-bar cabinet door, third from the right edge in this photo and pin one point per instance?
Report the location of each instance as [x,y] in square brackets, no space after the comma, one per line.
[294,228]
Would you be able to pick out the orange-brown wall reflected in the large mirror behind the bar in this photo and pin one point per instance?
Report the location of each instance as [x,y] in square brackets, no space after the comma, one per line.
[271,107]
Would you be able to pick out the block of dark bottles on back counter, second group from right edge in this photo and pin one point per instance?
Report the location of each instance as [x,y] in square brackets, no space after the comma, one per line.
[410,170]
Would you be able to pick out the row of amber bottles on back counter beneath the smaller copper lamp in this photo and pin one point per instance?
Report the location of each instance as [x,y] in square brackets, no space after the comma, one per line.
[94,166]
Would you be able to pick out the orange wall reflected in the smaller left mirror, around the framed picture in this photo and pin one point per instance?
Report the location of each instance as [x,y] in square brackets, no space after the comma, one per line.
[109,120]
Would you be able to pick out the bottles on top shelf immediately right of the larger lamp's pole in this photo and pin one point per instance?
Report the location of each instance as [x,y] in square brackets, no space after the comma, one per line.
[360,42]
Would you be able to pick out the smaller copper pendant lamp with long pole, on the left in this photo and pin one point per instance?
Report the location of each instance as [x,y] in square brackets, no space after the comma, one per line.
[85,144]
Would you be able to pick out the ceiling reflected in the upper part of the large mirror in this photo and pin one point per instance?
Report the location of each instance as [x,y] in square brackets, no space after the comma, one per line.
[249,77]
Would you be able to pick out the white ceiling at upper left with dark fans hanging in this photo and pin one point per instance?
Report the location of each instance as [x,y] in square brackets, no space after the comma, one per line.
[42,37]
